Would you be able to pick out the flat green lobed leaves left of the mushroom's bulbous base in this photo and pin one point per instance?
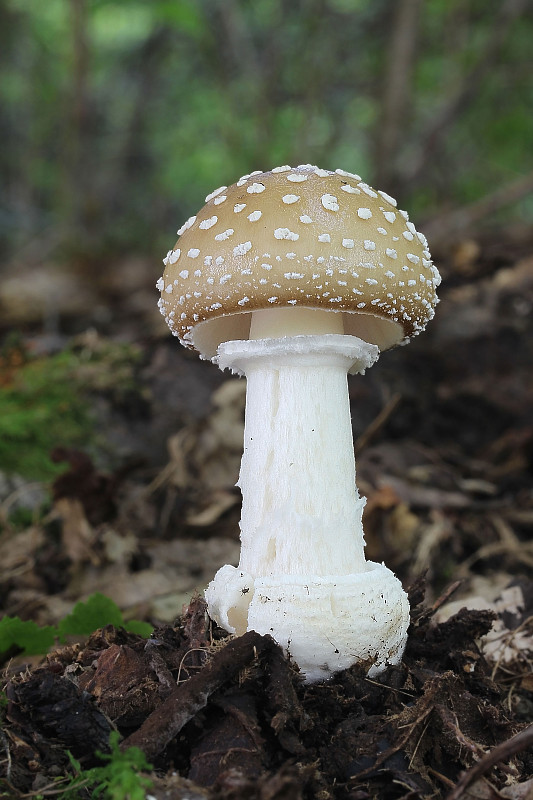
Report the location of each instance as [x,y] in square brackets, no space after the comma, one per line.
[84,619]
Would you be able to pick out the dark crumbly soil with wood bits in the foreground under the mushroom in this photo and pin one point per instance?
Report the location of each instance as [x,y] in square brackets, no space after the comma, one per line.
[233,719]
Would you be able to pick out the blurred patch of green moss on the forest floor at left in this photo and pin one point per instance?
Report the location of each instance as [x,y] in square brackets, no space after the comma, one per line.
[44,402]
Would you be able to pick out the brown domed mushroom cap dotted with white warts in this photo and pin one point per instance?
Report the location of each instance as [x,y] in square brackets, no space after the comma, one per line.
[302,237]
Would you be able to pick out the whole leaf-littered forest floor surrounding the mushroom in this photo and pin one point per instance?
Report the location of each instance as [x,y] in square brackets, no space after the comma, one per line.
[130,493]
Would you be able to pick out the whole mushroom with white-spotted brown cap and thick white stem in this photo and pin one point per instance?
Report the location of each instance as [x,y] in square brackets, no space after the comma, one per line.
[296,277]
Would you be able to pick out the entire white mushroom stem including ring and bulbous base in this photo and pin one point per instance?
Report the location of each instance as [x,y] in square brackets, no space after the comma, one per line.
[302,574]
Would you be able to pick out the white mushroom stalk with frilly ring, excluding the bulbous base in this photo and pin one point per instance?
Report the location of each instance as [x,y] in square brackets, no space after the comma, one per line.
[301,512]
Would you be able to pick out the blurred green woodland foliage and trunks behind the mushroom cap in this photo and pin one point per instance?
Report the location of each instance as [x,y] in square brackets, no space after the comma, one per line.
[118,116]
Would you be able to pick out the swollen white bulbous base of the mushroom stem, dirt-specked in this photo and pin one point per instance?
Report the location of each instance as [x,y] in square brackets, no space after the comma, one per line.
[326,623]
